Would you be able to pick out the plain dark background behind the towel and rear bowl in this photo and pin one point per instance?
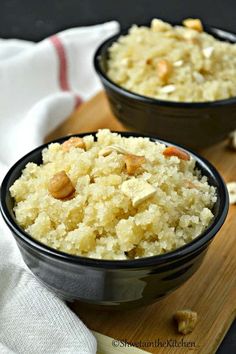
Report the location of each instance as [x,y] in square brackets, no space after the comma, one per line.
[35,20]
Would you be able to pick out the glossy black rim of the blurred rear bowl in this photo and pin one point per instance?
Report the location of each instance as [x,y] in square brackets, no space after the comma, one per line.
[214,31]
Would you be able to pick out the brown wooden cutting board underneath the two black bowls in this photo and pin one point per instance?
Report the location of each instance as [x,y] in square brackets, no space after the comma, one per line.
[211,291]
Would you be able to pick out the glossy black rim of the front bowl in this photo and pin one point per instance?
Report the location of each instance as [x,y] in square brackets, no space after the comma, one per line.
[175,255]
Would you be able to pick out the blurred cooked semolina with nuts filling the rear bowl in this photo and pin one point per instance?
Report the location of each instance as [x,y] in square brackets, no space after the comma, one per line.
[174,63]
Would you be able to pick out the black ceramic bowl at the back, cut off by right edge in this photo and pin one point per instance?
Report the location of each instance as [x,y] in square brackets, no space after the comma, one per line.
[194,125]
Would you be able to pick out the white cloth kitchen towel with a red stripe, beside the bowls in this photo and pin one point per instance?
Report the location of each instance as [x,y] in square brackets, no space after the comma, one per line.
[40,85]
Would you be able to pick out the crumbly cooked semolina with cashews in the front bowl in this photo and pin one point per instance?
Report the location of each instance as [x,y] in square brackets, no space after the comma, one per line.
[110,210]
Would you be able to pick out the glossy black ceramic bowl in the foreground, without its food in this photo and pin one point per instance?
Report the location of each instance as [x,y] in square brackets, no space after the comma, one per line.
[121,283]
